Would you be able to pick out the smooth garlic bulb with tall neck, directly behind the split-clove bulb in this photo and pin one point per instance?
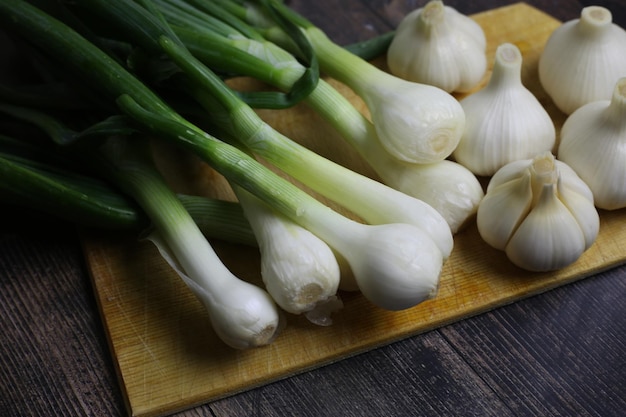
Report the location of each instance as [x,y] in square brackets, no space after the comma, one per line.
[504,121]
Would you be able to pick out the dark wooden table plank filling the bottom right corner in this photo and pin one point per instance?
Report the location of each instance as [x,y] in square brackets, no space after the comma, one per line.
[543,356]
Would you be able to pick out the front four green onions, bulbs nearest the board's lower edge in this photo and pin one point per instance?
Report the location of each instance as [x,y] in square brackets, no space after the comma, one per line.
[111,50]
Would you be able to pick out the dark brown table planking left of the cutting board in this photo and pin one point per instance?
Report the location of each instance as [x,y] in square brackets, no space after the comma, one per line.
[54,357]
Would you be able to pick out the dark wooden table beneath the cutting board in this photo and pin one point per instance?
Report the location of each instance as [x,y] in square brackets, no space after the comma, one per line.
[562,353]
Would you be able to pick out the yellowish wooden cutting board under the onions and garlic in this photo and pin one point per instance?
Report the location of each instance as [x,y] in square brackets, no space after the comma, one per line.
[166,353]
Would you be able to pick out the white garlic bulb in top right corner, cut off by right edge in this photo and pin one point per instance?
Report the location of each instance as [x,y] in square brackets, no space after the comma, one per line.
[583,59]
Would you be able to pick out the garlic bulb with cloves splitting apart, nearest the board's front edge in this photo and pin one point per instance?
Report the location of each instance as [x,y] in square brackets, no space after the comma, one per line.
[539,212]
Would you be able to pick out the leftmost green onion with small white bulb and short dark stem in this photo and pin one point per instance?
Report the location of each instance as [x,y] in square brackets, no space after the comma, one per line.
[243,315]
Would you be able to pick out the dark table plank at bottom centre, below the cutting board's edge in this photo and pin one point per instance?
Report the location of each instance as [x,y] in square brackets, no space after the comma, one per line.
[434,380]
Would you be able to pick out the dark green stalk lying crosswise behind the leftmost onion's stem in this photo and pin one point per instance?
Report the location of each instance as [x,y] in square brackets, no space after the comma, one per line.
[89,201]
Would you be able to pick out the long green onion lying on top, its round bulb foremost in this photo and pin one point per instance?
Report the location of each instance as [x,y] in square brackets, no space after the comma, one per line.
[396,265]
